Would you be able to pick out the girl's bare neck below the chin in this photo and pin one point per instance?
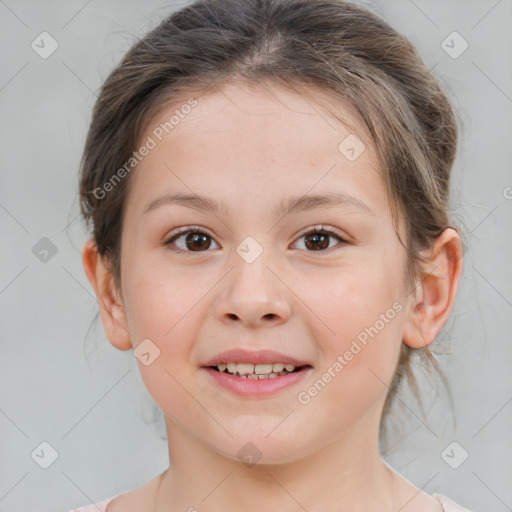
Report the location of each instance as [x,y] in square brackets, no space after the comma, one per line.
[346,474]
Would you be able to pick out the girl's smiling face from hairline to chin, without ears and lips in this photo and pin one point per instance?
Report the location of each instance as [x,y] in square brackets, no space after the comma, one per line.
[197,281]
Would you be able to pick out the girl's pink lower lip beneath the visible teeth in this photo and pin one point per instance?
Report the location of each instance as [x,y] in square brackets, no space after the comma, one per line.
[256,387]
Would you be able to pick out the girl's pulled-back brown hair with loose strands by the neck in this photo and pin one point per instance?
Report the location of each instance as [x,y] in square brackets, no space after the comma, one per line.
[331,45]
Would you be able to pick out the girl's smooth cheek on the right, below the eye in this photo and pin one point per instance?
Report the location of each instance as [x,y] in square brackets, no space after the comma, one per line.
[358,318]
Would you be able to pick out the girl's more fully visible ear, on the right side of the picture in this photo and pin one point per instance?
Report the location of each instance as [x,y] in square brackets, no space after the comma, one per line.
[435,292]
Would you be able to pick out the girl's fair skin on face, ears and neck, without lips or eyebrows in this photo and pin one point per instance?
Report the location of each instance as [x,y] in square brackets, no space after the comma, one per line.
[248,148]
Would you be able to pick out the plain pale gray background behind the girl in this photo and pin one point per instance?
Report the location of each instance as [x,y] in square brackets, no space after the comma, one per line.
[94,411]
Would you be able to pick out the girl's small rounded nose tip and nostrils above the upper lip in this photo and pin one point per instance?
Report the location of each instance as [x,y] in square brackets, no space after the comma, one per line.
[253,295]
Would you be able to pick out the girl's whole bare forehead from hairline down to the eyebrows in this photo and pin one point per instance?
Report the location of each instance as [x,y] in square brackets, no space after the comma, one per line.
[243,135]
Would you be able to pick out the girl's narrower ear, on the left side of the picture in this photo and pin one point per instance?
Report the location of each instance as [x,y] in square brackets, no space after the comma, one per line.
[112,309]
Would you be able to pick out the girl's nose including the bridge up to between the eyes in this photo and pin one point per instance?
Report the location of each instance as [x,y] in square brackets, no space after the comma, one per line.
[252,292]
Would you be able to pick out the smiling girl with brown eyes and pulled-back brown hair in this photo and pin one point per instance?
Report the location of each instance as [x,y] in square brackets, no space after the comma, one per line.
[267,185]
